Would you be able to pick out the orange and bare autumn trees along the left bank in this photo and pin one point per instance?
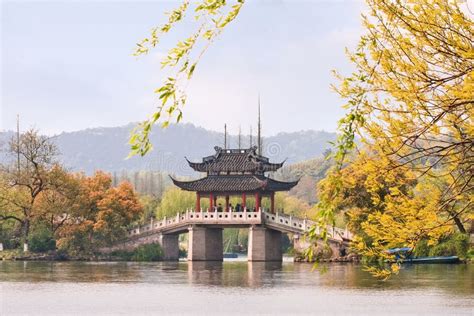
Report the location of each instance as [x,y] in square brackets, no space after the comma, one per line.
[43,206]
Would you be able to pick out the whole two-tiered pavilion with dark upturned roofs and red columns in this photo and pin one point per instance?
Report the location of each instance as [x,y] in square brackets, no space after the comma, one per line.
[235,172]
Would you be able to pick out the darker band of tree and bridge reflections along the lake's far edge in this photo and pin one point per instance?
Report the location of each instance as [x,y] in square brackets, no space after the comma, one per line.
[454,279]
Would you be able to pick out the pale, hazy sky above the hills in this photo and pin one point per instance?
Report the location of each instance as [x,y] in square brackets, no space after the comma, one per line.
[68,65]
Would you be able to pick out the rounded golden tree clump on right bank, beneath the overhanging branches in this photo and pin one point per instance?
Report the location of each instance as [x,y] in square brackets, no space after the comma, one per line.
[386,207]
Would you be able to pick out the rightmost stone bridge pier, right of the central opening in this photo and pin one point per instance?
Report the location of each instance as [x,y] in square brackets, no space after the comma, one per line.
[264,244]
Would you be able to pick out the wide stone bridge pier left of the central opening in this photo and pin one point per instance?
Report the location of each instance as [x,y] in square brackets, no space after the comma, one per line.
[205,244]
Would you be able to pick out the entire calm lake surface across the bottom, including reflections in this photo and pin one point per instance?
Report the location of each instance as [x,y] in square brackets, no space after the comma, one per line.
[232,287]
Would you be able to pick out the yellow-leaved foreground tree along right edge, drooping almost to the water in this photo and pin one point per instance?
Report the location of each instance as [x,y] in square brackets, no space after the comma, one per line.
[411,101]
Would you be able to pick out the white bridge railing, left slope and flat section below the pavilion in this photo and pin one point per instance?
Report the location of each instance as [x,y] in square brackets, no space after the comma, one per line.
[190,217]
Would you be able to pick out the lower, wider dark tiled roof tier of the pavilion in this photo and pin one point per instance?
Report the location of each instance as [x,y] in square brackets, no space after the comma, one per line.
[234,183]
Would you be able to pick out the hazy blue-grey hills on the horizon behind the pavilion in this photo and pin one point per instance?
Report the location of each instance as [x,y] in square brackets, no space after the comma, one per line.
[107,148]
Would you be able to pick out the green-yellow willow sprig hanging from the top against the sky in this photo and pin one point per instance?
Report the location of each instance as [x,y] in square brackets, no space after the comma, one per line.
[211,16]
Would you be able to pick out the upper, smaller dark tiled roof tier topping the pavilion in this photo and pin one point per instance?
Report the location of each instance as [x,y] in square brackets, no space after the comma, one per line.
[235,160]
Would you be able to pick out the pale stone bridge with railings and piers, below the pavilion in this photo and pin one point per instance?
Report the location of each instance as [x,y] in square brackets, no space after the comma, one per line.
[205,240]
